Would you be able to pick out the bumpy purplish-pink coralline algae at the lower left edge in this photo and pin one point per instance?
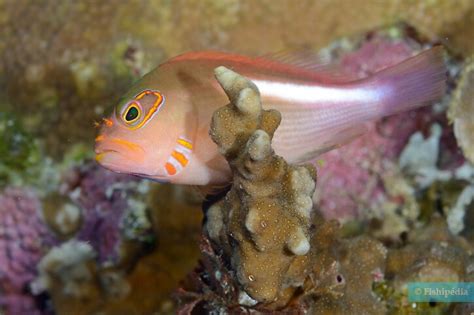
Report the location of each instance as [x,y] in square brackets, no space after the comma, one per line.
[24,238]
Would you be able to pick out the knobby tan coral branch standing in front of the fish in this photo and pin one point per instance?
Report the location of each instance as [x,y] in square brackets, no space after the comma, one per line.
[263,223]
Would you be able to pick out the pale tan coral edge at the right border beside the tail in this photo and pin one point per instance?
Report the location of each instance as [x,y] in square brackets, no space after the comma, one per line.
[461,110]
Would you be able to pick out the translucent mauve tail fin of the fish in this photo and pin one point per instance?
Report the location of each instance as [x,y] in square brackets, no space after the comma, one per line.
[415,82]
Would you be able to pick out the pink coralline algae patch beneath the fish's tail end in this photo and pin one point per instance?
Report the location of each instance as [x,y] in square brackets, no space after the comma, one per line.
[350,176]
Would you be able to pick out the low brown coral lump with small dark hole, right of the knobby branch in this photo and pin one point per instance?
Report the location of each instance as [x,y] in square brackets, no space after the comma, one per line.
[343,273]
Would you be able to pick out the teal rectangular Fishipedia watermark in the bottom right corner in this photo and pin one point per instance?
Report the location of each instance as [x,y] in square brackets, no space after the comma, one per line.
[446,292]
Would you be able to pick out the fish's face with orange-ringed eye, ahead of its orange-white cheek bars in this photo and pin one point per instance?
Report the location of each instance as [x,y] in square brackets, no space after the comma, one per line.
[137,137]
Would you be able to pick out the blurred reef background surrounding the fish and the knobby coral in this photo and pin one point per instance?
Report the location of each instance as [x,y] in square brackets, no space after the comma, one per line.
[77,239]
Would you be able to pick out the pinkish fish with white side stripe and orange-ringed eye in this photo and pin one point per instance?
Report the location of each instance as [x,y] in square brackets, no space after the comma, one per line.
[159,129]
